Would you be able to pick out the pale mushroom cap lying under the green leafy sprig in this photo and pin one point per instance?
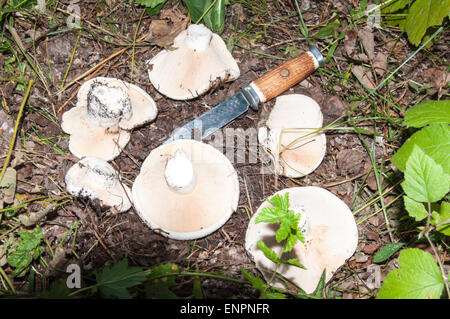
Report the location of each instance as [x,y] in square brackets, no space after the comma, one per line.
[332,237]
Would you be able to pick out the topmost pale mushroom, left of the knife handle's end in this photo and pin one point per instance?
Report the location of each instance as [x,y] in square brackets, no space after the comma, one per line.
[199,61]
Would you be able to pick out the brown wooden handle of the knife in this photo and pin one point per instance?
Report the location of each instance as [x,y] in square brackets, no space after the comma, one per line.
[285,76]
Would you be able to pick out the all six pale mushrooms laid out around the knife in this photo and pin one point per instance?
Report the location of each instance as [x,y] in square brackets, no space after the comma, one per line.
[187,189]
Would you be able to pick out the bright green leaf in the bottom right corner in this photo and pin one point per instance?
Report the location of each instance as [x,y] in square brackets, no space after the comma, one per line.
[418,277]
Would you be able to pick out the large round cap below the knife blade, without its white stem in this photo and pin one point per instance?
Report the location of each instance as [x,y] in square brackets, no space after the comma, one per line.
[194,214]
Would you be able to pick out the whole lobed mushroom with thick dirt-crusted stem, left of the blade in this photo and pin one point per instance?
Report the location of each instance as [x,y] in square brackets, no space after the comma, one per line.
[106,110]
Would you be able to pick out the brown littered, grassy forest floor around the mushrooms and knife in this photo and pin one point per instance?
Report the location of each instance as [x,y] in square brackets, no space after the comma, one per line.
[115,40]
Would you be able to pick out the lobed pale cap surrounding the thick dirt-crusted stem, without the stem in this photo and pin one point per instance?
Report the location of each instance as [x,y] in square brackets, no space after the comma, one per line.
[88,140]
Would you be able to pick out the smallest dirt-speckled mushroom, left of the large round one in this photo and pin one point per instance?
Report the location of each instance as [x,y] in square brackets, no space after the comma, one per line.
[94,178]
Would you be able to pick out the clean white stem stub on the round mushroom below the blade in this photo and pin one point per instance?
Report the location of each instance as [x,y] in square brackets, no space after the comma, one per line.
[179,173]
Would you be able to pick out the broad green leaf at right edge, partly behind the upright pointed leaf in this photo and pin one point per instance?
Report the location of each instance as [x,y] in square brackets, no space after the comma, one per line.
[434,140]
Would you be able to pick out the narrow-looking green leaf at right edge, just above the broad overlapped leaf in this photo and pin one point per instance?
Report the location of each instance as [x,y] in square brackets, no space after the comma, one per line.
[428,112]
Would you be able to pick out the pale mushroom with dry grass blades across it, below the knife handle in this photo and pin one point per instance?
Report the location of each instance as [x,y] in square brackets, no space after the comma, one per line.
[291,136]
